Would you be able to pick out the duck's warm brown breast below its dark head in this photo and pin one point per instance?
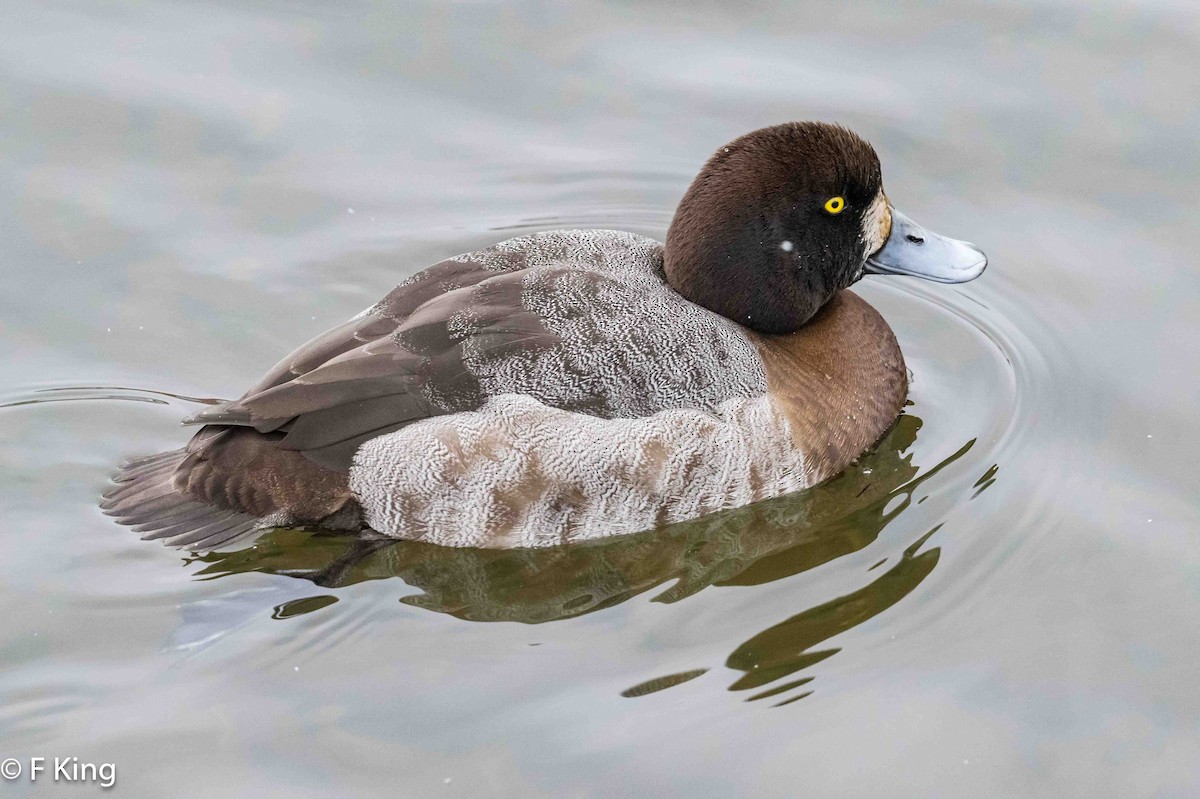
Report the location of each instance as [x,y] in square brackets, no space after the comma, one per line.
[841,381]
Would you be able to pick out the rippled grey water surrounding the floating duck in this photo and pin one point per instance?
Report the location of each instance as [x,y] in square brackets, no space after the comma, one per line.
[1001,599]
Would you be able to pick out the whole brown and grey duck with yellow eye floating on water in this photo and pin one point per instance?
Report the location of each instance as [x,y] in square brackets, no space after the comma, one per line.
[577,385]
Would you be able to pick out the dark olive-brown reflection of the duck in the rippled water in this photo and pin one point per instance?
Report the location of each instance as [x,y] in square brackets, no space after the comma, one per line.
[746,546]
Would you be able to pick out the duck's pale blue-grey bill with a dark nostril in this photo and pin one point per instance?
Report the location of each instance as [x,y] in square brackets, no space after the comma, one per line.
[913,250]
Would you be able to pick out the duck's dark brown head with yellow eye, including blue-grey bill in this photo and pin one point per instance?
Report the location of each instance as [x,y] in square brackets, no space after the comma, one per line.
[783,219]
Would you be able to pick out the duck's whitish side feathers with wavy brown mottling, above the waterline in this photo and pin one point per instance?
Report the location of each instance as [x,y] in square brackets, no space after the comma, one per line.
[520,474]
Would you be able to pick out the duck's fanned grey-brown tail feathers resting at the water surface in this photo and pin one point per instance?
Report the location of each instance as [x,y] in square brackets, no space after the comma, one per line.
[145,498]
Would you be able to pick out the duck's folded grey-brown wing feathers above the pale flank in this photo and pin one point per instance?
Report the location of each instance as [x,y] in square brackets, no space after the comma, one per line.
[403,361]
